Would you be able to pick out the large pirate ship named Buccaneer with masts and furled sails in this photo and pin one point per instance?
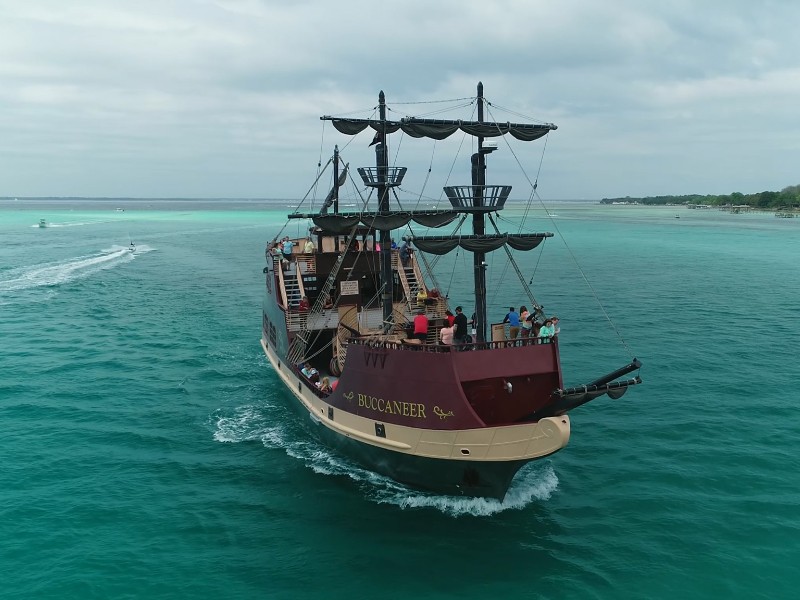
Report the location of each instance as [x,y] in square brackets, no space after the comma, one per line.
[456,419]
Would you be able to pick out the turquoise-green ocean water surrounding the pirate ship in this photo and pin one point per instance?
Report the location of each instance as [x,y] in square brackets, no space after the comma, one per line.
[148,449]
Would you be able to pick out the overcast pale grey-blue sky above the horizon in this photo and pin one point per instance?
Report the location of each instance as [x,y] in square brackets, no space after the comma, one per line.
[222,98]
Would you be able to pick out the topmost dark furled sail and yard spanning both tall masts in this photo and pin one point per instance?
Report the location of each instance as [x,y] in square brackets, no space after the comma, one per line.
[439,129]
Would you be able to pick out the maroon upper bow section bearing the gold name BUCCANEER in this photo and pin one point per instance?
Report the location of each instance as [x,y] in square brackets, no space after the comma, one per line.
[434,389]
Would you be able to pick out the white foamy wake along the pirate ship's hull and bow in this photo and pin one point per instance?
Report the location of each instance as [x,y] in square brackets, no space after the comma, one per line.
[535,482]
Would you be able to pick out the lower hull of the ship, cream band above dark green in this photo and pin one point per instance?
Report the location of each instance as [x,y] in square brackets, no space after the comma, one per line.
[474,462]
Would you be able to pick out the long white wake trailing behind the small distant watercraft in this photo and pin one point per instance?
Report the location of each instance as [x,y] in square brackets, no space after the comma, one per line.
[58,273]
